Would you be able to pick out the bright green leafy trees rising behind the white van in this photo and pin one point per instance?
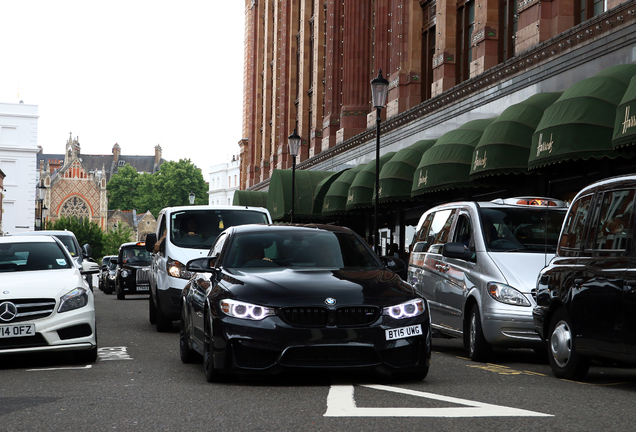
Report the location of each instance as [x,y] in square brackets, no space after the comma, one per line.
[169,187]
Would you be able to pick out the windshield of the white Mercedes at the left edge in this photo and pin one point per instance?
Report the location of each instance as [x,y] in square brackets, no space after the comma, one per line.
[32,256]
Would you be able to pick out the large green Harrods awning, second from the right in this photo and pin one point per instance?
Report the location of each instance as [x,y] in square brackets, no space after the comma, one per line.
[580,124]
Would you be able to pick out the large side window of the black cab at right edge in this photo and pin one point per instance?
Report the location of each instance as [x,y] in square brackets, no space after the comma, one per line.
[613,221]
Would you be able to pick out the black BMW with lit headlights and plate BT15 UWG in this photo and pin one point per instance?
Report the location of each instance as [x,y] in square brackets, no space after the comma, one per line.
[275,297]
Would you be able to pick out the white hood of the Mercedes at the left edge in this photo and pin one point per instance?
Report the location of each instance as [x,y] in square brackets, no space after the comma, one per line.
[40,284]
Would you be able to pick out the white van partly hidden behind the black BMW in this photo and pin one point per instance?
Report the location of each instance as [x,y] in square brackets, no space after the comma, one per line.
[185,233]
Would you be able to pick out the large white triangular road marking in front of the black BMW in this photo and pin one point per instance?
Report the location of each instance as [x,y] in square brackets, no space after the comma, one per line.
[341,403]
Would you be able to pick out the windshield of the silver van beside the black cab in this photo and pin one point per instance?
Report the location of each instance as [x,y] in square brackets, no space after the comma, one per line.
[521,229]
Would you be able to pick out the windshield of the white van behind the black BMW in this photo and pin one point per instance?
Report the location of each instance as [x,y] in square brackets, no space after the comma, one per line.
[198,229]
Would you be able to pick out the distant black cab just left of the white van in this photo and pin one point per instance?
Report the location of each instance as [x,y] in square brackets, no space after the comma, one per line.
[133,268]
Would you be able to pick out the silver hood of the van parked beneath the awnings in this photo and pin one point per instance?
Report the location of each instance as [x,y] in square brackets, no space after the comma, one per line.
[520,270]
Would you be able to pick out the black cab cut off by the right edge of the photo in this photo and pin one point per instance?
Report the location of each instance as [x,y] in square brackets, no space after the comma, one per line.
[586,297]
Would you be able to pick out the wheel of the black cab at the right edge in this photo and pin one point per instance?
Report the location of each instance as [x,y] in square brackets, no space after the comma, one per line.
[565,362]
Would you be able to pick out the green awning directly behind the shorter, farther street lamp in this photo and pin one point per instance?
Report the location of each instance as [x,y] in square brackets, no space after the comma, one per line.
[279,198]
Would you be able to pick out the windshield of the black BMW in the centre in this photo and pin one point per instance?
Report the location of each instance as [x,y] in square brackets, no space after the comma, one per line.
[303,248]
